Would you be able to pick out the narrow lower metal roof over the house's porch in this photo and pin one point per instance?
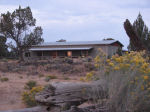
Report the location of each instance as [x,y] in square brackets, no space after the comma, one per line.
[55,49]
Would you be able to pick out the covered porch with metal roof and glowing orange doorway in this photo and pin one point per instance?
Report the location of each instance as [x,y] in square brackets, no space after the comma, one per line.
[47,53]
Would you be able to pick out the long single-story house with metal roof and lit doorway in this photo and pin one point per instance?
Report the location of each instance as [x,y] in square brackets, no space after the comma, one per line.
[72,49]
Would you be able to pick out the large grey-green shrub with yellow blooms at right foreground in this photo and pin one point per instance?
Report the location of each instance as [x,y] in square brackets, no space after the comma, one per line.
[128,79]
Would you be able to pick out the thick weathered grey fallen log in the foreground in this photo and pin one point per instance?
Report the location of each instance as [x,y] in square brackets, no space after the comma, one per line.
[65,95]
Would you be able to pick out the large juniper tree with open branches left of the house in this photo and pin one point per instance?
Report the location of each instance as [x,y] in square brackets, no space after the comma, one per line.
[20,26]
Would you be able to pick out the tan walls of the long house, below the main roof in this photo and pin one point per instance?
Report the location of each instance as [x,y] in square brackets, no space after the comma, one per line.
[109,50]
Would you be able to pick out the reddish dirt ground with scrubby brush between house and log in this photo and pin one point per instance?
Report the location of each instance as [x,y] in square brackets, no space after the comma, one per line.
[65,70]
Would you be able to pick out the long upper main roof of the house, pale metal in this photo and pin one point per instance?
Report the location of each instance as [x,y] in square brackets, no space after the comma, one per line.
[103,42]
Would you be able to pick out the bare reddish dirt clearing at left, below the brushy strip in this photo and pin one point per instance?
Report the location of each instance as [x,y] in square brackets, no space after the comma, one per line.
[10,91]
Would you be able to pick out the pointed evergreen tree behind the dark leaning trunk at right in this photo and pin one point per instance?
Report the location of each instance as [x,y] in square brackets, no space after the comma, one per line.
[142,32]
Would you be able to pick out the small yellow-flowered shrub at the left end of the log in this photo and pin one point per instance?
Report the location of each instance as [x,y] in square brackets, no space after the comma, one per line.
[28,97]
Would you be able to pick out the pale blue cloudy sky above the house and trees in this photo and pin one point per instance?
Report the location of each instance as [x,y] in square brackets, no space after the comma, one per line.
[83,20]
